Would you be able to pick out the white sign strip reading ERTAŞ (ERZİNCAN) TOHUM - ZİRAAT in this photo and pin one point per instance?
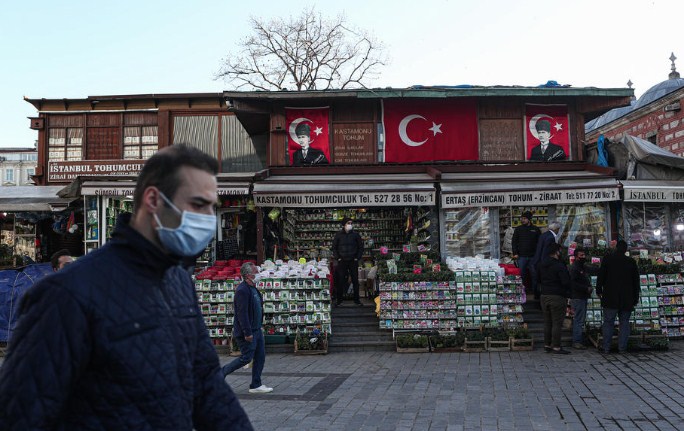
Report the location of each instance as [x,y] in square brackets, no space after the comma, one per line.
[528,197]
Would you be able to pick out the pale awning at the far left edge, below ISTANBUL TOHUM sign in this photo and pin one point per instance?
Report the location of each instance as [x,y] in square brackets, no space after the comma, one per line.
[32,198]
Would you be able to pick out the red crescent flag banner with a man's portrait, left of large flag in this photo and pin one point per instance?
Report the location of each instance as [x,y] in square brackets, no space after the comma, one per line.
[308,141]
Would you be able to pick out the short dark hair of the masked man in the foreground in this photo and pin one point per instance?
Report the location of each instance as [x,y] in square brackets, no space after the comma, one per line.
[161,170]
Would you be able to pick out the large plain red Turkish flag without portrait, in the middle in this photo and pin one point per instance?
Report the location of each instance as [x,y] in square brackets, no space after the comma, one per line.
[428,130]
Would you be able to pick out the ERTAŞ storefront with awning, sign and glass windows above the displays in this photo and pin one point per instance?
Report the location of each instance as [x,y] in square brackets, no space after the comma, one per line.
[478,208]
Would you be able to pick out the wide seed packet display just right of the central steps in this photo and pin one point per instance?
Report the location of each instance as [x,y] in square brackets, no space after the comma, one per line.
[473,299]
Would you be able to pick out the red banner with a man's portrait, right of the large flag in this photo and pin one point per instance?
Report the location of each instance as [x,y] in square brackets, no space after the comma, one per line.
[547,133]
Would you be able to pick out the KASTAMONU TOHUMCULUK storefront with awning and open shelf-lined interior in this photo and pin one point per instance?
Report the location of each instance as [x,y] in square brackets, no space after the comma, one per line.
[302,213]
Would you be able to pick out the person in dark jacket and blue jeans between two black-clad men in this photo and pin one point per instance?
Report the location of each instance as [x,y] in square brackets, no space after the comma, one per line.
[581,291]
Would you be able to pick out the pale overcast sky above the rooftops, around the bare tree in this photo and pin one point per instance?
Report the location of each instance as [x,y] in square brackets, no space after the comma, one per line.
[75,49]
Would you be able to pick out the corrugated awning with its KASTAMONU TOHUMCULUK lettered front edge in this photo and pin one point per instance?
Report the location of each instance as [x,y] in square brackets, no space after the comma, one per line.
[365,190]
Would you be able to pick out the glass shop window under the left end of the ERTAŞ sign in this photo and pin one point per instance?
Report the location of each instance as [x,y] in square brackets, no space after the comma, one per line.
[468,232]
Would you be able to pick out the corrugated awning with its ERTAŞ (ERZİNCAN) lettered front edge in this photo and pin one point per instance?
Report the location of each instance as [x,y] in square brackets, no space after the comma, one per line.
[526,189]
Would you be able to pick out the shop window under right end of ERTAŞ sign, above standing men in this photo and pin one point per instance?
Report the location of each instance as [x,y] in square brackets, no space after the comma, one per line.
[584,224]
